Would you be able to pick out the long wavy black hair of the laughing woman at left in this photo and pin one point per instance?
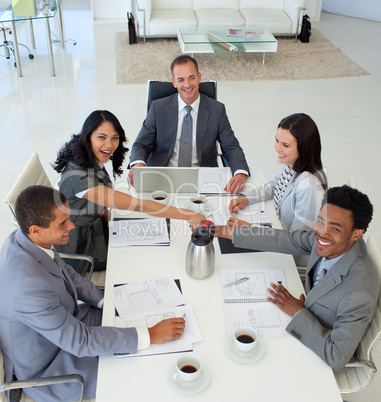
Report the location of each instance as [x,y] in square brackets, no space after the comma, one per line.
[79,151]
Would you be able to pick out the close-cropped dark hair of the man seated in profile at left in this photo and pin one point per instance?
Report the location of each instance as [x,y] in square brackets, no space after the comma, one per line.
[35,206]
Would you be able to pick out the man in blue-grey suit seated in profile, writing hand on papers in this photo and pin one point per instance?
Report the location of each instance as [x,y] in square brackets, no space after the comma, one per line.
[43,330]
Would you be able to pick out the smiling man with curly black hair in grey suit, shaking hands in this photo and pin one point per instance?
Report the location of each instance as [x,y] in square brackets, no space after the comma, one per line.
[341,284]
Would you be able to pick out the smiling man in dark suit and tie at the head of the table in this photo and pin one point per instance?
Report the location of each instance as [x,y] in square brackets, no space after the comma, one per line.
[160,138]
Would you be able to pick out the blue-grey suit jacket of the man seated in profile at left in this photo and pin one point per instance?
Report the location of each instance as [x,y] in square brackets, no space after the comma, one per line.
[39,334]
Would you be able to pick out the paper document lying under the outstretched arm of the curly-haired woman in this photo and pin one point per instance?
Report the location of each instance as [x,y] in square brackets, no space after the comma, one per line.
[138,232]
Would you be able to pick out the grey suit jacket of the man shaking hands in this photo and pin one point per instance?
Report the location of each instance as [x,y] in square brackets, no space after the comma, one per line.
[339,308]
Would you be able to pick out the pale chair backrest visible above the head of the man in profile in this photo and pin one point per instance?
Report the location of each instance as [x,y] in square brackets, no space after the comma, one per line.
[32,174]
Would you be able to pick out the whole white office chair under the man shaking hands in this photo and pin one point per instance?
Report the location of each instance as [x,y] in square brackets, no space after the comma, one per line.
[359,373]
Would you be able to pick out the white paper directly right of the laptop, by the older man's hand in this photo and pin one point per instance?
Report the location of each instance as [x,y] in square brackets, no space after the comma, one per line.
[213,180]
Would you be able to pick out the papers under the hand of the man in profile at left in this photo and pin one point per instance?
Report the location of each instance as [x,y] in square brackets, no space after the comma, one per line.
[144,304]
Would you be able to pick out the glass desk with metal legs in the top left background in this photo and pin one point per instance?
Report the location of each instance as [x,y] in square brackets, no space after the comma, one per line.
[48,11]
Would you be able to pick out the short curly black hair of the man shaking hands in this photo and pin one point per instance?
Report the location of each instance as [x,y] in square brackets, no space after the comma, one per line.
[352,200]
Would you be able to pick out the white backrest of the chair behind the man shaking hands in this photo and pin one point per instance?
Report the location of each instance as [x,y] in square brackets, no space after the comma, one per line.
[373,335]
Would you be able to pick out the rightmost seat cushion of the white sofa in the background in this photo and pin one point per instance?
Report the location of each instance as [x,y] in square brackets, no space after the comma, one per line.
[277,21]
